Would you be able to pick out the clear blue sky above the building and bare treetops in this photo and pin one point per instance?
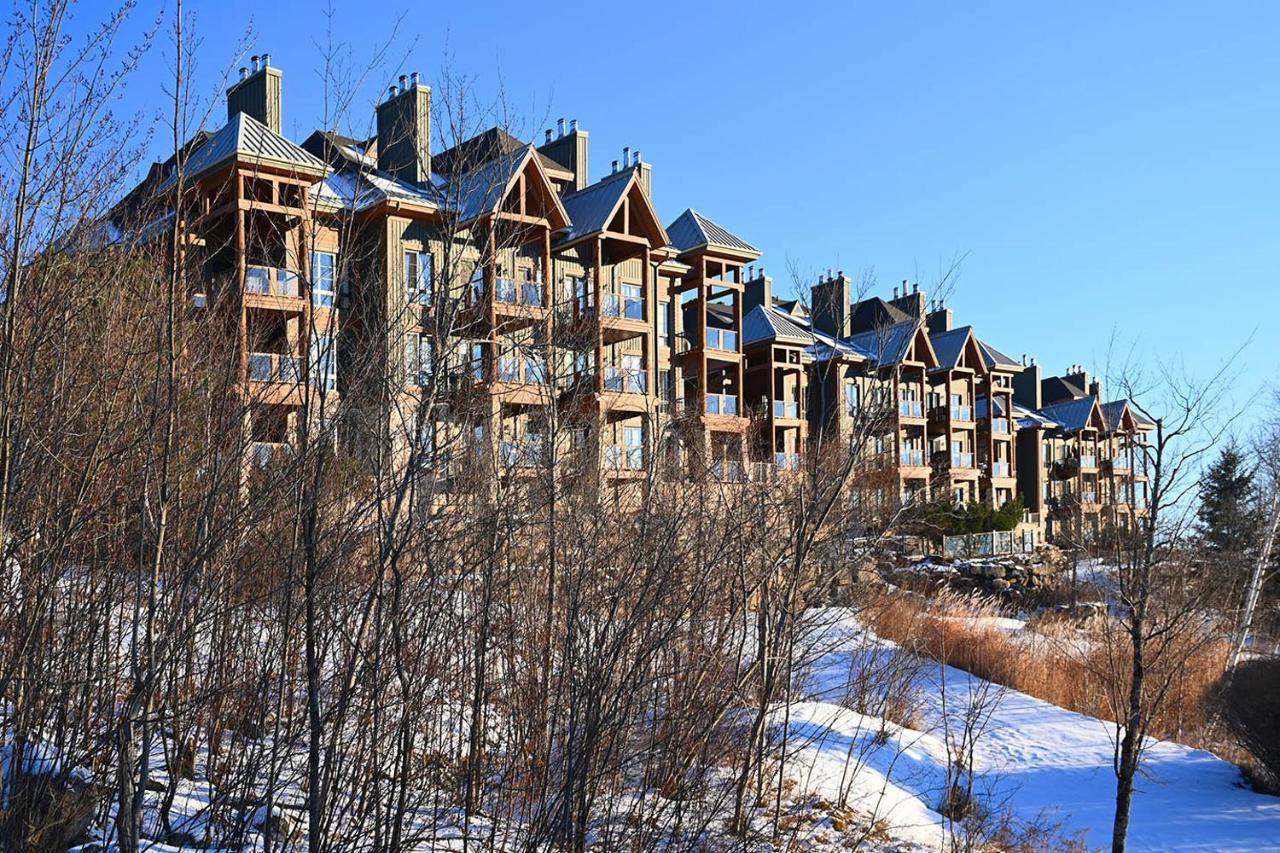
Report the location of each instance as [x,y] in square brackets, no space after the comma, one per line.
[1103,167]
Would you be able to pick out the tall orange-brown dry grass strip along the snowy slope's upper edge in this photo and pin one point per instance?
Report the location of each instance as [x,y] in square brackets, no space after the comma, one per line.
[1084,669]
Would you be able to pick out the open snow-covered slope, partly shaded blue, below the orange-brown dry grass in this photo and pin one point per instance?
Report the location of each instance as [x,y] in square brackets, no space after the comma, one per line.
[1040,763]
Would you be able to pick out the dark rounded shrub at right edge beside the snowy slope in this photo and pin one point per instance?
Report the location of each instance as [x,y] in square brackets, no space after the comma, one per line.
[1249,701]
